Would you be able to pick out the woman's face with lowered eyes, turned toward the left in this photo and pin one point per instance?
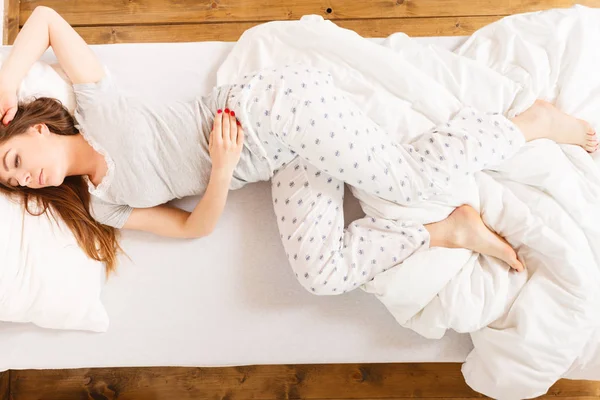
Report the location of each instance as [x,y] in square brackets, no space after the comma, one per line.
[34,159]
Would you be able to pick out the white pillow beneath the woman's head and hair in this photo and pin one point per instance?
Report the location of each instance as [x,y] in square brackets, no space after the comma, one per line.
[45,277]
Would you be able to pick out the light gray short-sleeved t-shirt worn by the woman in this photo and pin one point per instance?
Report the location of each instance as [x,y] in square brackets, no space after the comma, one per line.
[155,151]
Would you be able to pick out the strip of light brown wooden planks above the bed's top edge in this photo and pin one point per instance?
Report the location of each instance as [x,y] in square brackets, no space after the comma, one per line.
[121,21]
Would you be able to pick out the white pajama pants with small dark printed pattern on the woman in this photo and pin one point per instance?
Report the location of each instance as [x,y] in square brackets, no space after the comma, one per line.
[316,140]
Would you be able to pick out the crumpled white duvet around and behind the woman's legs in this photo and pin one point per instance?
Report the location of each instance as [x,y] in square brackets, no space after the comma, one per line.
[529,329]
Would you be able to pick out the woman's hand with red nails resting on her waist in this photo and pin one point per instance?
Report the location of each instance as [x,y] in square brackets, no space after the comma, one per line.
[225,143]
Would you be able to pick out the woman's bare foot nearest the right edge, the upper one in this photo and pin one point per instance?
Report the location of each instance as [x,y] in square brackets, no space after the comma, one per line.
[544,120]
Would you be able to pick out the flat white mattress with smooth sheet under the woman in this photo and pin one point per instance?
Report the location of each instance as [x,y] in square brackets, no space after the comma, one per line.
[231,298]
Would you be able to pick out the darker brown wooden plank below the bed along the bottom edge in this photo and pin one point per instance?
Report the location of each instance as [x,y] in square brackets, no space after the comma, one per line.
[346,381]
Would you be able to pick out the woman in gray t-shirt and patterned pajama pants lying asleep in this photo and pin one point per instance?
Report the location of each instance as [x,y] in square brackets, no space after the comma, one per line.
[118,161]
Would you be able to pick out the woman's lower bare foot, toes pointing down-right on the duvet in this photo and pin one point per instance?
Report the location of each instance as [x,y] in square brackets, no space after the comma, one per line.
[464,228]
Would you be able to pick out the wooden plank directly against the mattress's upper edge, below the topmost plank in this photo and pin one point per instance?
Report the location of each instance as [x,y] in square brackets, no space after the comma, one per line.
[450,26]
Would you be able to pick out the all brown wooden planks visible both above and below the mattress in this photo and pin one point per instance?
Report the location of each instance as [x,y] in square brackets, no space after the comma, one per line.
[122,21]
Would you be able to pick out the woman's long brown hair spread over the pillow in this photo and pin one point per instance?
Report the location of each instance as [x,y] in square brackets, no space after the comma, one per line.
[71,200]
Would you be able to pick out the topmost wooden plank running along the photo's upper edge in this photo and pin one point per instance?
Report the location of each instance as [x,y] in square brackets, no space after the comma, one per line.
[111,12]
